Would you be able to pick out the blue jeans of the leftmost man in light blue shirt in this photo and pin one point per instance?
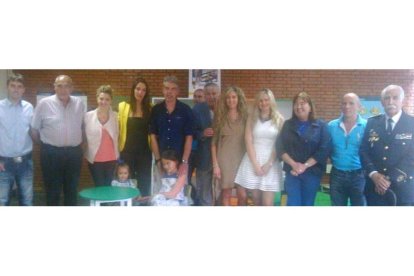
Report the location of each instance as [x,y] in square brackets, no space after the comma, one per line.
[22,174]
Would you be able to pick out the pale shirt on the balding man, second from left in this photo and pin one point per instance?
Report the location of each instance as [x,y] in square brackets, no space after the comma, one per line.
[58,125]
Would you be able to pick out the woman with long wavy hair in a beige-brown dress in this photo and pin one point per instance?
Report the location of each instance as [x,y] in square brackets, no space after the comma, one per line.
[227,147]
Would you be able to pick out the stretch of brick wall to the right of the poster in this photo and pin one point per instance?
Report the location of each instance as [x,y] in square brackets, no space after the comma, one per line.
[324,86]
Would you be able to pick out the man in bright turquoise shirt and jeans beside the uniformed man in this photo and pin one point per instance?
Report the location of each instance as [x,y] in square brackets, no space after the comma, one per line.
[347,180]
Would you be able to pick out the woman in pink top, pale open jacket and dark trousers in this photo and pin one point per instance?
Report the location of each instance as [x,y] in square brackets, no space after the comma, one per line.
[101,131]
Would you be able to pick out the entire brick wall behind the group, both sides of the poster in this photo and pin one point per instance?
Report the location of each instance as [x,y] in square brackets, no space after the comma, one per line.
[325,87]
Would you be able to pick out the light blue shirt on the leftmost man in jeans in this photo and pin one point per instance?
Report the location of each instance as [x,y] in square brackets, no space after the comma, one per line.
[14,128]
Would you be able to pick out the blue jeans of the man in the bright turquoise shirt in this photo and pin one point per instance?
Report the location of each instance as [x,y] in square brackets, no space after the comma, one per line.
[346,185]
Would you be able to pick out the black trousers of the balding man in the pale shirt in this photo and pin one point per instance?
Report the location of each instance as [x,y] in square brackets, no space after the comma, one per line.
[61,168]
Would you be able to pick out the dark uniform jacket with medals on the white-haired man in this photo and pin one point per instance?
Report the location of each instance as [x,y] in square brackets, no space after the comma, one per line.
[391,155]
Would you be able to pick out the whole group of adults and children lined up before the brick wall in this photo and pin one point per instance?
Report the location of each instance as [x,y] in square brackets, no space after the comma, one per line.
[231,147]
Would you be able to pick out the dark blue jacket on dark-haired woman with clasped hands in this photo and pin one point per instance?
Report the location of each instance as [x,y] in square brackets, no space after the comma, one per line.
[314,143]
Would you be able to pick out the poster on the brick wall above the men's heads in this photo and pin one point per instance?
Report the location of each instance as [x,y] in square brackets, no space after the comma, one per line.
[198,78]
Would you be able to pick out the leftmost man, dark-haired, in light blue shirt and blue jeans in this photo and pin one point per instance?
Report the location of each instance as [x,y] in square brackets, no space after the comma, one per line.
[16,144]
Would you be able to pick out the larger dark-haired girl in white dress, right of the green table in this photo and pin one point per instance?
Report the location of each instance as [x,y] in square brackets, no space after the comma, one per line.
[172,186]
